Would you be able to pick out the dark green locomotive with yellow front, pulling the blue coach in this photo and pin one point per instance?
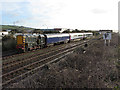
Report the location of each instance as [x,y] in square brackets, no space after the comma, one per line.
[29,42]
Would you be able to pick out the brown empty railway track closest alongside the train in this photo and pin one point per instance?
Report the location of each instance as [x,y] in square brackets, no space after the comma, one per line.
[27,55]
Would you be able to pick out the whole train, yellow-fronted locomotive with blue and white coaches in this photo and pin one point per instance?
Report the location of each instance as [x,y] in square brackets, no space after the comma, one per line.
[28,42]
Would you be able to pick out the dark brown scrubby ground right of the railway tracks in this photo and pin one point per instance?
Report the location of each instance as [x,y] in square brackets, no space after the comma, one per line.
[95,66]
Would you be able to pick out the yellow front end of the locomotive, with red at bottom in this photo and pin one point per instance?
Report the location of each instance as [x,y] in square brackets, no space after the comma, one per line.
[20,43]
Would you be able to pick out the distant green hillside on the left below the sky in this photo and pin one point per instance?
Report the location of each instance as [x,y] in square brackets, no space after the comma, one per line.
[16,28]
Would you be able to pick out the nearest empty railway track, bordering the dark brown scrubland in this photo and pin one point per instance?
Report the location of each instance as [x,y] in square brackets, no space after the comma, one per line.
[23,70]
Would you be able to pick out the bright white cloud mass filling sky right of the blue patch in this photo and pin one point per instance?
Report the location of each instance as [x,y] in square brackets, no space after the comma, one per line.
[72,13]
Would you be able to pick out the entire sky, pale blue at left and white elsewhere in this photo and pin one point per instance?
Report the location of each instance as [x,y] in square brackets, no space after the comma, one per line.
[72,14]
